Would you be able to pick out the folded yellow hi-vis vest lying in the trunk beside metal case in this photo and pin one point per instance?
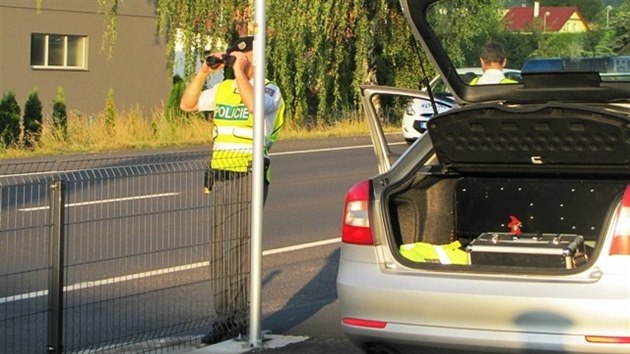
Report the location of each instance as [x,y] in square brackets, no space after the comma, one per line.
[429,253]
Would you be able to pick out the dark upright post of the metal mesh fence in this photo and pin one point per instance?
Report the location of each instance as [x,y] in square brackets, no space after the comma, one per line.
[56,274]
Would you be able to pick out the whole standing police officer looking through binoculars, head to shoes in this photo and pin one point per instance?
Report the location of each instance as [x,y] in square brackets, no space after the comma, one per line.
[232,102]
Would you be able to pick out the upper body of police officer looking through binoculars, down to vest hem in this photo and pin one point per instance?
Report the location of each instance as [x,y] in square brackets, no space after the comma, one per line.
[232,102]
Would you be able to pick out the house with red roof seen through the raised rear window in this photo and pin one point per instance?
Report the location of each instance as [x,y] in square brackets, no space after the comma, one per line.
[545,18]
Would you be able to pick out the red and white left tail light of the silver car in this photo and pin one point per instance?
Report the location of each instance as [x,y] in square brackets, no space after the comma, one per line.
[356,222]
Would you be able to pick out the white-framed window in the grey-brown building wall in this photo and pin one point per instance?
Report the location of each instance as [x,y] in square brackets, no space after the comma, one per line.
[58,51]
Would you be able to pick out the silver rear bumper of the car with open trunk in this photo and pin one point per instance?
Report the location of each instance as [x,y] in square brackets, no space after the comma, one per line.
[367,292]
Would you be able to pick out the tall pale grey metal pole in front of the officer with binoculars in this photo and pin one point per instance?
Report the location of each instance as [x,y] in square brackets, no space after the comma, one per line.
[255,303]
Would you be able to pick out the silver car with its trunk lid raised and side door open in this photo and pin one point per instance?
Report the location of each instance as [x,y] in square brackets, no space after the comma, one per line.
[506,227]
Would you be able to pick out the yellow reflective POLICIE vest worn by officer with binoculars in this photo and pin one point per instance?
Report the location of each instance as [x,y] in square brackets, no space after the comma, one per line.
[232,148]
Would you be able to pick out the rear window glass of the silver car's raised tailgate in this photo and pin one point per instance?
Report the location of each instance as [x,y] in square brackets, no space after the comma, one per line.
[532,37]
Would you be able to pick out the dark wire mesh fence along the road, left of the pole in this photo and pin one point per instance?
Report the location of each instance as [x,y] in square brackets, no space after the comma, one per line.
[137,255]
